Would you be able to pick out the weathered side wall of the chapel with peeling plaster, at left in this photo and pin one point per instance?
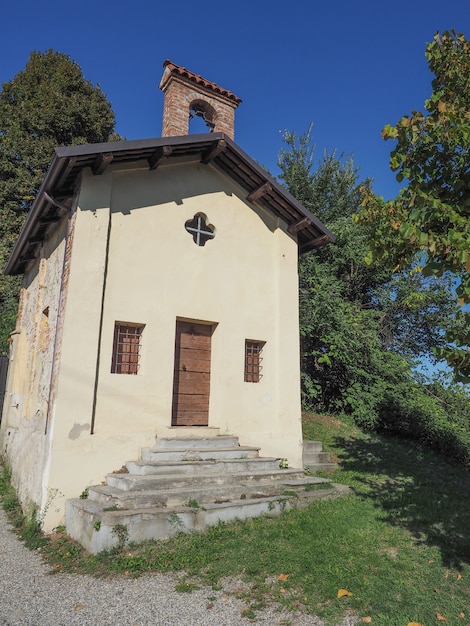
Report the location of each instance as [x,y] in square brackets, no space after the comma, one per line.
[23,437]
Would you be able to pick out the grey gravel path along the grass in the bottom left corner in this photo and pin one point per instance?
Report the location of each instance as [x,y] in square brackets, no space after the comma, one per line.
[30,596]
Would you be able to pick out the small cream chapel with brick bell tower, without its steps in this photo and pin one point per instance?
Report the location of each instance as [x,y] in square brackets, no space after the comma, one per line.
[159,300]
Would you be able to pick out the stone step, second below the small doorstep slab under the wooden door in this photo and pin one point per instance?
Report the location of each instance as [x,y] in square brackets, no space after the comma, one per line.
[199,453]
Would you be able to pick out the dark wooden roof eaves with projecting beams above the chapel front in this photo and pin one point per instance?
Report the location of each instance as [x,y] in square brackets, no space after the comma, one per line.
[69,161]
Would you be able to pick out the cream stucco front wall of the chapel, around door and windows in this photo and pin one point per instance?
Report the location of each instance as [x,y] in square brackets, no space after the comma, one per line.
[133,261]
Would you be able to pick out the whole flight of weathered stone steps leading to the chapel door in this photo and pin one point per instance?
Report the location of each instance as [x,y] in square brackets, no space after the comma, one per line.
[183,485]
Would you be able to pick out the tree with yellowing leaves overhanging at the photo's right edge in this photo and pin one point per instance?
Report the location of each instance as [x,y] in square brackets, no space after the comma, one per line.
[431,215]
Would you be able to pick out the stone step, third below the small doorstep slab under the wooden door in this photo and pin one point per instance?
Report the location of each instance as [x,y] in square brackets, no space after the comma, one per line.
[205,466]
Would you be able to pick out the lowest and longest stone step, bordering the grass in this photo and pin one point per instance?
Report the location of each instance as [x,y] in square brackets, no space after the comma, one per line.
[98,529]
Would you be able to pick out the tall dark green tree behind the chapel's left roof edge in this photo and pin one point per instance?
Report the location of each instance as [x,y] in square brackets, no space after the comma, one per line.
[48,104]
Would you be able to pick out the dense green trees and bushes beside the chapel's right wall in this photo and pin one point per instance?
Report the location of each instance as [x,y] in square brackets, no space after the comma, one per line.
[363,327]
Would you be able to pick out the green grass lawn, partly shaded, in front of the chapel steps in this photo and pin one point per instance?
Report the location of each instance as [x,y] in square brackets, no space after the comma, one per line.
[400,544]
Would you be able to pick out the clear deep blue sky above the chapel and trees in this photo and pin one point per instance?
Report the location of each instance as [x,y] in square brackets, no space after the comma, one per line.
[348,66]
